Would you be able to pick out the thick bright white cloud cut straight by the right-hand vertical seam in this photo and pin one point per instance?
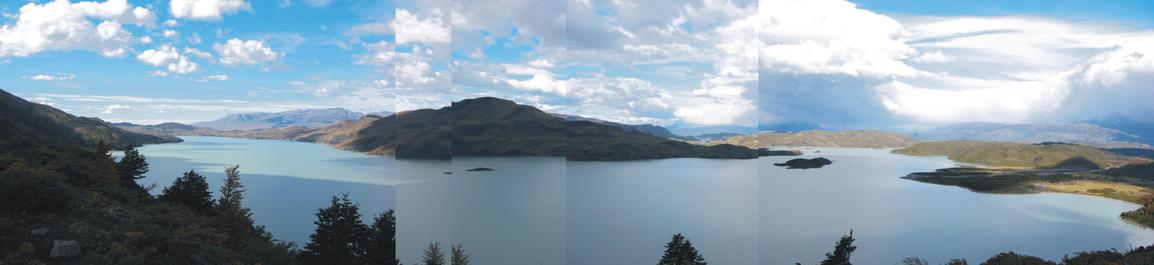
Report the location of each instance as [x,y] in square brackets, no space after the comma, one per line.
[833,37]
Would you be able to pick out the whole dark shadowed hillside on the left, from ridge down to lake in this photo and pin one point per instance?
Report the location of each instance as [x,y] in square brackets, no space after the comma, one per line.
[64,202]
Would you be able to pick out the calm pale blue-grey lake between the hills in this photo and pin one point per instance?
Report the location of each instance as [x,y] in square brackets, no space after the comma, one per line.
[552,211]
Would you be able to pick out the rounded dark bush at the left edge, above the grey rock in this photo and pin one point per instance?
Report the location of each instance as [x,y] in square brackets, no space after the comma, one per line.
[25,190]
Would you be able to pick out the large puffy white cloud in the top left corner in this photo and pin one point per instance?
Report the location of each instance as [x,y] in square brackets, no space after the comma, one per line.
[63,26]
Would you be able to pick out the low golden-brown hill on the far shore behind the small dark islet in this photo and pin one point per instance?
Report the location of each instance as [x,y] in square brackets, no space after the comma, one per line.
[823,139]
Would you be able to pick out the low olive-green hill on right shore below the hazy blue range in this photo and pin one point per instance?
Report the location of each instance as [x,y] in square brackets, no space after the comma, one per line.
[1024,156]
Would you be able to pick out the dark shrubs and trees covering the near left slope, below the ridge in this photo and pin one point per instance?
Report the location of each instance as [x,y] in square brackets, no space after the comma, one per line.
[78,195]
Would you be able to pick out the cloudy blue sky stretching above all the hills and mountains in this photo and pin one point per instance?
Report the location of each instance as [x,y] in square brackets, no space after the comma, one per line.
[695,66]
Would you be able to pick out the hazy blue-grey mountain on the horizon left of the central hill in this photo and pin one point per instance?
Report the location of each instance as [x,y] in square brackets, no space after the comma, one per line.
[299,118]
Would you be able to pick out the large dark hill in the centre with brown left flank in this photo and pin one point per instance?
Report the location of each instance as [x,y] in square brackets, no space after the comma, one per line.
[499,127]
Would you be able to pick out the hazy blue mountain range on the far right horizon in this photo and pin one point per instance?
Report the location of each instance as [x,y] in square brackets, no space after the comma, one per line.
[1069,133]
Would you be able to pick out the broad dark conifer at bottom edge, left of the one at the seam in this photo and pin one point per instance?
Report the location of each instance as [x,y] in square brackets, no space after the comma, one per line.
[341,238]
